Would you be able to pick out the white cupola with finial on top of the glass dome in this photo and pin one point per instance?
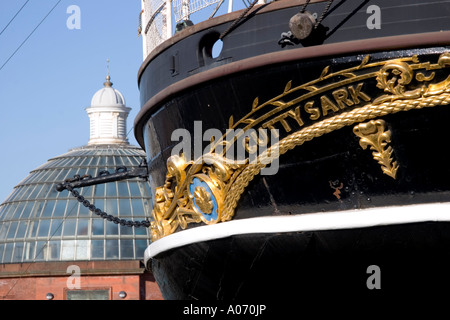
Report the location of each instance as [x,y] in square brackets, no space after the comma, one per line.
[108,116]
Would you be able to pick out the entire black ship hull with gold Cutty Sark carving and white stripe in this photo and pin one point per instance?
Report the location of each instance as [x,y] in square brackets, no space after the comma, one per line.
[356,194]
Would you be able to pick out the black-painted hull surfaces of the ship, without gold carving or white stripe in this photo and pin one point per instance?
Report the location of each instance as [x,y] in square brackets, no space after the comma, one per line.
[181,83]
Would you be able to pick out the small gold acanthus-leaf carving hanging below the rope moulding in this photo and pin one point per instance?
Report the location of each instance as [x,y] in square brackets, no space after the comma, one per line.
[374,134]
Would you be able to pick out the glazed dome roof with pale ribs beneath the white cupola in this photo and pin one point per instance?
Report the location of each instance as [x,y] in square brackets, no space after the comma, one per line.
[37,223]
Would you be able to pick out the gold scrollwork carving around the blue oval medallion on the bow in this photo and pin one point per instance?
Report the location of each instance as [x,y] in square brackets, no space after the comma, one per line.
[193,192]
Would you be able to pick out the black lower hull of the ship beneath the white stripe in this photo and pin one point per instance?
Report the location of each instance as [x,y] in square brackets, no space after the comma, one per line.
[406,260]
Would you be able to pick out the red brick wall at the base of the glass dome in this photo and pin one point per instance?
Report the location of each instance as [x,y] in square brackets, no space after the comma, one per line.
[34,281]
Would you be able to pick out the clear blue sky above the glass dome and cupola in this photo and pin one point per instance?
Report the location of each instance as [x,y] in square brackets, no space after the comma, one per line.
[46,85]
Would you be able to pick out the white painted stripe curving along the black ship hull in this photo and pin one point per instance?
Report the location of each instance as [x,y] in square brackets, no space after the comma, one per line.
[348,219]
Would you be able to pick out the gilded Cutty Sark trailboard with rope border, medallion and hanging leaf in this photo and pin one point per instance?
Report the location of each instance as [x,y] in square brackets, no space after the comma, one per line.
[208,189]
